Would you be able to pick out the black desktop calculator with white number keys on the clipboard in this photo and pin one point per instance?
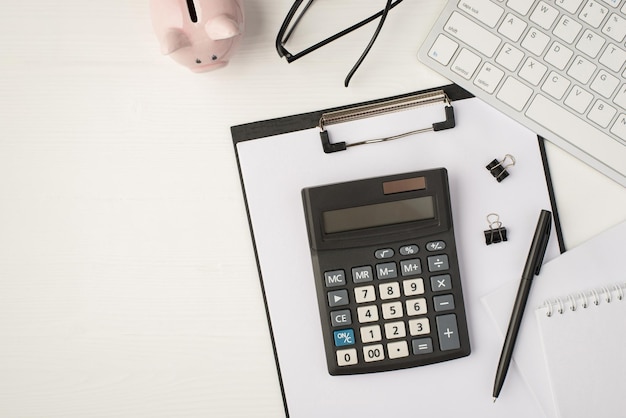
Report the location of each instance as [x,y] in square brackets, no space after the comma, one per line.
[386,272]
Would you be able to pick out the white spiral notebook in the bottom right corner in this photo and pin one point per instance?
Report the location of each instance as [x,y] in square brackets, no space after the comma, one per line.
[583,336]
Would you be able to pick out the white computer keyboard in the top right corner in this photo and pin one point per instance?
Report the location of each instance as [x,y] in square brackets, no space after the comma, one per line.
[556,66]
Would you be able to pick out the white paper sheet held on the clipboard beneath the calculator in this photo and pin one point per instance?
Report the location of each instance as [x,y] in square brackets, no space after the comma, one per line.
[275,169]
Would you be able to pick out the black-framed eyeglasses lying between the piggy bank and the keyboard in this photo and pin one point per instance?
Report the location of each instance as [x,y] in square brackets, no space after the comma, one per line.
[287,28]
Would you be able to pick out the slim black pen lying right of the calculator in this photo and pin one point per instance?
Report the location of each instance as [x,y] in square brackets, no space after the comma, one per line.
[532,267]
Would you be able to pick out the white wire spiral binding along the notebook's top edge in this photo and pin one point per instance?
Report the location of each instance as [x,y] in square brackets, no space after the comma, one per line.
[605,294]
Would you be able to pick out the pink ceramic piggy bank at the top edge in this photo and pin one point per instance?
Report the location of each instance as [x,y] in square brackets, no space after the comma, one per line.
[199,34]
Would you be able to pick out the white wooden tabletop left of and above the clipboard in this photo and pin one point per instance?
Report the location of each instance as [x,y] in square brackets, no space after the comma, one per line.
[128,284]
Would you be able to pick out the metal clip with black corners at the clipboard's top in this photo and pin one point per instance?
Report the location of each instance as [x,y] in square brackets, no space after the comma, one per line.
[395,105]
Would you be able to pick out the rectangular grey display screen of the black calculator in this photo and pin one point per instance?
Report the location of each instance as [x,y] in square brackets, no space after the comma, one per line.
[380,214]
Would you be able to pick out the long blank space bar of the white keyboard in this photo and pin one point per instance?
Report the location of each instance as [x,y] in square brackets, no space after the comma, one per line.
[581,134]
